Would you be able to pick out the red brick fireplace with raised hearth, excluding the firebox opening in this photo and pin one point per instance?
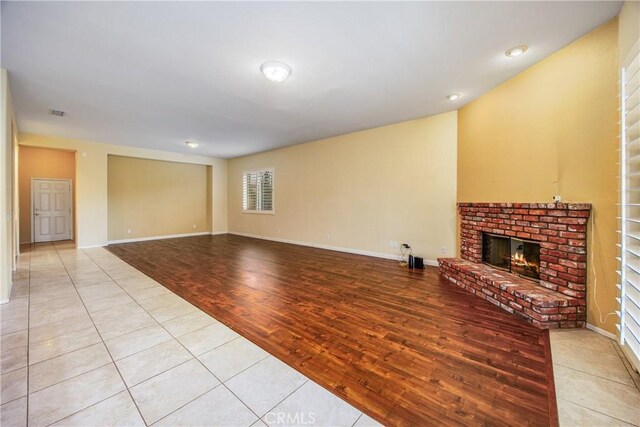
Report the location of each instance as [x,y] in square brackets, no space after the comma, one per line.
[558,299]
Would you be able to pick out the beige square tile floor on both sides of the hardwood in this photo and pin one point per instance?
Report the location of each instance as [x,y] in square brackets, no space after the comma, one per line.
[88,340]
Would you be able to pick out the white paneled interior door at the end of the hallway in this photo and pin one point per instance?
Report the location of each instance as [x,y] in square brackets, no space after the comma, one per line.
[51,209]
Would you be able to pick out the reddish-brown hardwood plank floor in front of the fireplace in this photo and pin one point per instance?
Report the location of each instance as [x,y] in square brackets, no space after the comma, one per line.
[404,346]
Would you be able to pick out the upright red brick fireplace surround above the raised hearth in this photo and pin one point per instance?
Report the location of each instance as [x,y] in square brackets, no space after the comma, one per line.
[561,229]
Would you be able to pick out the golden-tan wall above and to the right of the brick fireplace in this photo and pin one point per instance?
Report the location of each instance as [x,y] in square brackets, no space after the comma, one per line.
[553,130]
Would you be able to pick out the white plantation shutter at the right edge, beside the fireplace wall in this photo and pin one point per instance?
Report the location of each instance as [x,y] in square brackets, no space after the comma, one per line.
[629,286]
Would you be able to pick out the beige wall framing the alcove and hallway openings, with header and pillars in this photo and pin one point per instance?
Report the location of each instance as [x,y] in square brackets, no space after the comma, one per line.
[91,182]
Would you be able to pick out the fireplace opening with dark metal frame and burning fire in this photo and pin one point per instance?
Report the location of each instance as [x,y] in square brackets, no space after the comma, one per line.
[518,256]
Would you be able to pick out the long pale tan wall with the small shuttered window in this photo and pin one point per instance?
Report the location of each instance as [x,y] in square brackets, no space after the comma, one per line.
[360,191]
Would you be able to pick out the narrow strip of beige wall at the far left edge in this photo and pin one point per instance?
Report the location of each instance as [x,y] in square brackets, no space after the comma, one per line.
[8,189]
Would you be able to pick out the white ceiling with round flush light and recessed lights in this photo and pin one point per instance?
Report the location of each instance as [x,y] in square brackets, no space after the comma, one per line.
[154,74]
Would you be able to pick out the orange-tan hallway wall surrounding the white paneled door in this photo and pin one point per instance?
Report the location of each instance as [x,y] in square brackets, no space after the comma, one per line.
[40,163]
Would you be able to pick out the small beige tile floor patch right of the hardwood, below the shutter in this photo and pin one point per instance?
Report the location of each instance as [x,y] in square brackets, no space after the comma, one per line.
[595,385]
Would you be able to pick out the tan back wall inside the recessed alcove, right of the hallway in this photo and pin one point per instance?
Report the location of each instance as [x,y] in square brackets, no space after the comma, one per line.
[150,198]
